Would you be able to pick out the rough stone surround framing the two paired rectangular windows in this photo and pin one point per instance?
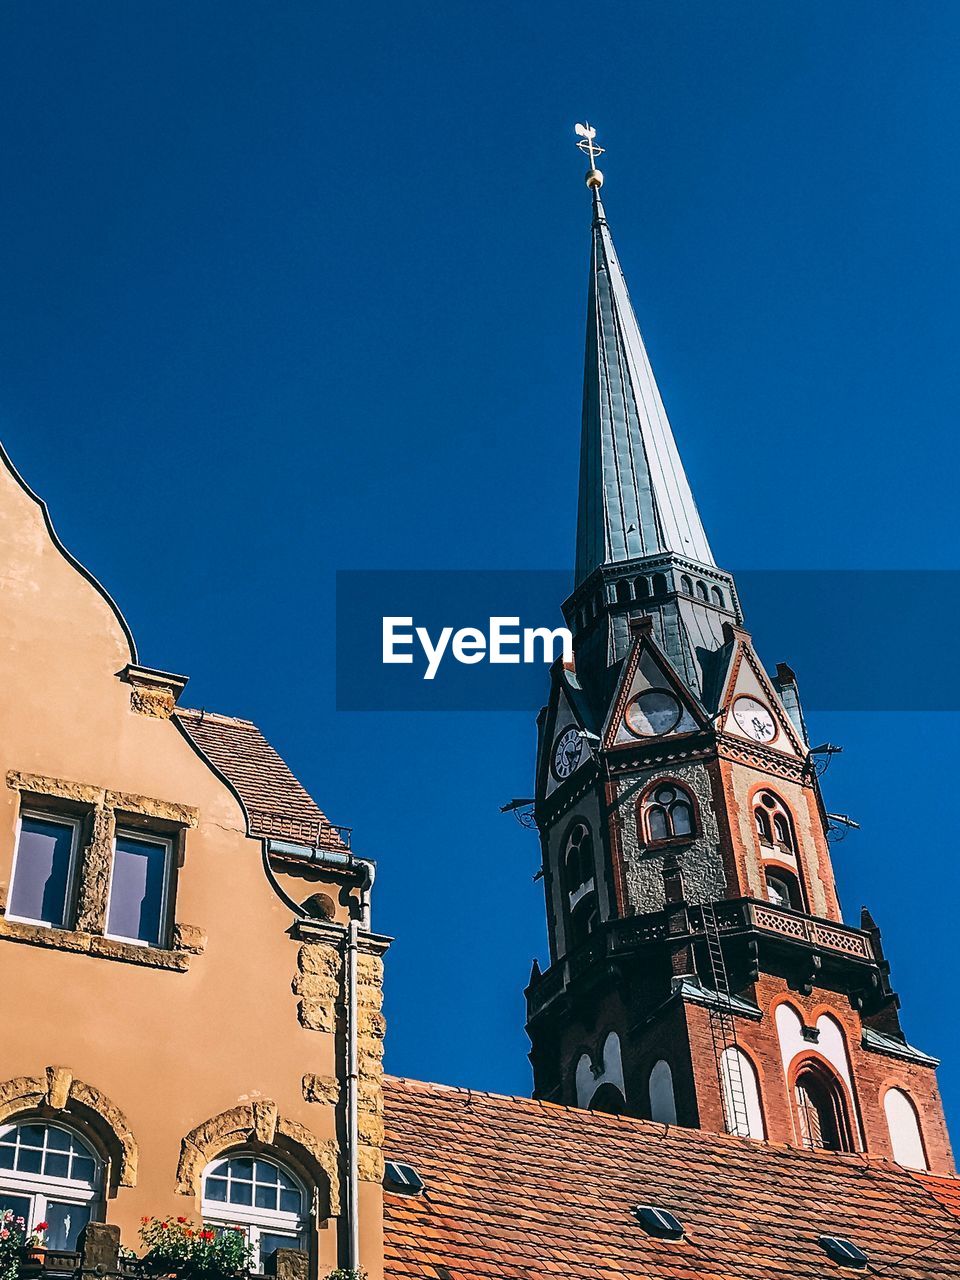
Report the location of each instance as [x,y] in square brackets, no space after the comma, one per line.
[102,808]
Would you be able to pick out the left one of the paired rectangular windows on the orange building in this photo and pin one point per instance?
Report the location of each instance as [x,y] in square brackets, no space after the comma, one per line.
[44,870]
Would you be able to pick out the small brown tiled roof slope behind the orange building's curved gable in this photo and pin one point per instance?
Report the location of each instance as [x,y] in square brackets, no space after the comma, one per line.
[276,802]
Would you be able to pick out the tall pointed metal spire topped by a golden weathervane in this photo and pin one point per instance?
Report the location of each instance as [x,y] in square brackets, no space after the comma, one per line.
[636,500]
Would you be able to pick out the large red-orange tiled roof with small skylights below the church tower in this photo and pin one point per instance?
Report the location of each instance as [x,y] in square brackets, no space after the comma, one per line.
[523,1191]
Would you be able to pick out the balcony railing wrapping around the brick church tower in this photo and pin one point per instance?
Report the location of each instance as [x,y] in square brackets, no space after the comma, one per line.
[684,922]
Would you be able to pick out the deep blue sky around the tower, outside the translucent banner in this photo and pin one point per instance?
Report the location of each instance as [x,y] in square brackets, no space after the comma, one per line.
[291,289]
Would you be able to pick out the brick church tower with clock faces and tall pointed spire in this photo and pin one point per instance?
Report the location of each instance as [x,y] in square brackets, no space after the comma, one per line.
[701,970]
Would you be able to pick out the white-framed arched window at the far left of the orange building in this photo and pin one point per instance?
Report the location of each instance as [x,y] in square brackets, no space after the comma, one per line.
[49,1176]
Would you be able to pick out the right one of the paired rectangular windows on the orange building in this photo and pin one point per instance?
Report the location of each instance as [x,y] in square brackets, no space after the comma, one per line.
[140,888]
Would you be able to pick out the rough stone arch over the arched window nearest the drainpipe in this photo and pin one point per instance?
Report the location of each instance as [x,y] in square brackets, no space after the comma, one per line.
[260,1124]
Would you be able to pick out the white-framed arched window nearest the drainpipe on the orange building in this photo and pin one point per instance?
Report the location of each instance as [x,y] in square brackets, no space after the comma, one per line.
[268,1204]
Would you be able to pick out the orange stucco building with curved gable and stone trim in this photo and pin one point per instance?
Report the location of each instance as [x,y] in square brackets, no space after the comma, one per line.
[175,1000]
